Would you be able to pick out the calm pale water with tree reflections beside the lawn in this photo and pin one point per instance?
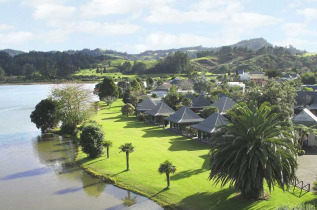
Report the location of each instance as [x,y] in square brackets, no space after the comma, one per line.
[37,172]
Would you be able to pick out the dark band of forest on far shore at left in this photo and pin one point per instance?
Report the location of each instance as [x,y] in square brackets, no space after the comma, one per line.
[45,64]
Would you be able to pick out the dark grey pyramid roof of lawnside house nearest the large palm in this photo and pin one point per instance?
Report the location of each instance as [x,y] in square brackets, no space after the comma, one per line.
[211,123]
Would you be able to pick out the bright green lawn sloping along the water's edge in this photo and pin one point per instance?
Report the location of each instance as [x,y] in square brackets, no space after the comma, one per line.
[190,188]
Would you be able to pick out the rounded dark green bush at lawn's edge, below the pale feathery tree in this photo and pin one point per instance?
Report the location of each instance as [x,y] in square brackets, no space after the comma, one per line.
[91,140]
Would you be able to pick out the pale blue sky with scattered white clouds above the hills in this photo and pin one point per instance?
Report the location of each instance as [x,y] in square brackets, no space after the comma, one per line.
[134,26]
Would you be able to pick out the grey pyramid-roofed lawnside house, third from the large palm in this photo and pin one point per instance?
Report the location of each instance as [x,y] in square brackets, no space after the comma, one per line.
[160,111]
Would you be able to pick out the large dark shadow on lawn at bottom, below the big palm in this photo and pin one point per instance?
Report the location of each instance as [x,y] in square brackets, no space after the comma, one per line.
[217,200]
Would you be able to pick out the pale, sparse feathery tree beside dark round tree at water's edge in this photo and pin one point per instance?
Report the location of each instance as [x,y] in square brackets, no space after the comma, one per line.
[75,104]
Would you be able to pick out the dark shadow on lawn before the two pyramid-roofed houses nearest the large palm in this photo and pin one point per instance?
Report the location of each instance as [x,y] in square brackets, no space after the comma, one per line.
[179,144]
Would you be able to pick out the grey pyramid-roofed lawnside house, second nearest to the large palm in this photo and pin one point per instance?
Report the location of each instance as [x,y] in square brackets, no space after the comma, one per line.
[182,118]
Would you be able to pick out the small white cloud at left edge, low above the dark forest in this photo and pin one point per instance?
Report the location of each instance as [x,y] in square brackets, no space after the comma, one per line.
[15,38]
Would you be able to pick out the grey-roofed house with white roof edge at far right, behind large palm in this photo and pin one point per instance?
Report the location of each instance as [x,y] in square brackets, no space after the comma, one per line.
[307,118]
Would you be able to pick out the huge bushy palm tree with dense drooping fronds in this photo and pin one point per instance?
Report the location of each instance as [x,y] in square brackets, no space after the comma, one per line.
[255,146]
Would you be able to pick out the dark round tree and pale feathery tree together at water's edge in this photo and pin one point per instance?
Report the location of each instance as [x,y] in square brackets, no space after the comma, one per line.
[69,104]
